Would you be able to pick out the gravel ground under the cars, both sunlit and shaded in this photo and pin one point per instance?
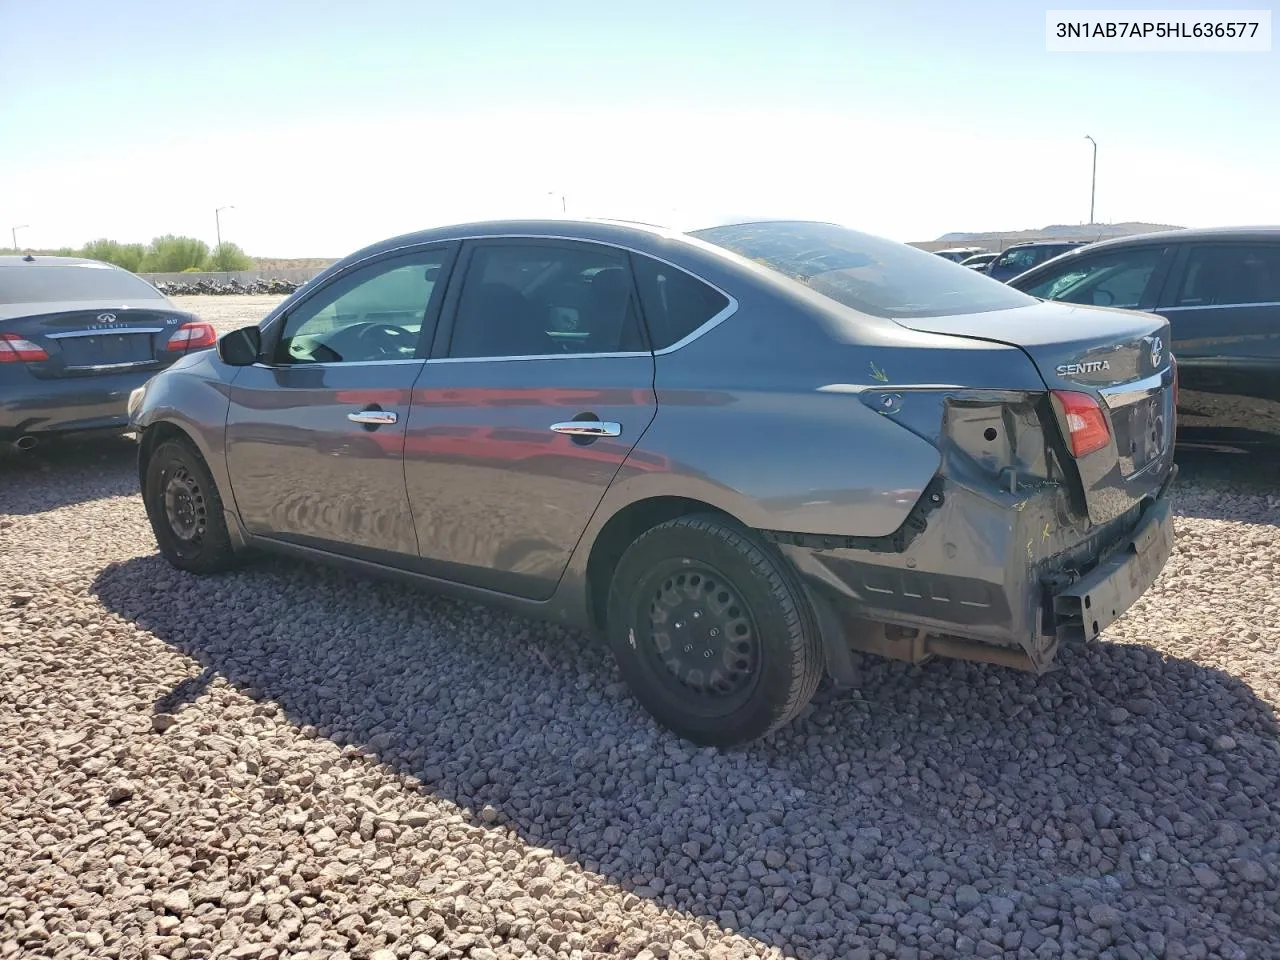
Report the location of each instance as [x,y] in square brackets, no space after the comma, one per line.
[290,762]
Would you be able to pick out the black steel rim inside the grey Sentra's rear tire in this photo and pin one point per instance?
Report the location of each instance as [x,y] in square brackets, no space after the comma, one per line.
[702,634]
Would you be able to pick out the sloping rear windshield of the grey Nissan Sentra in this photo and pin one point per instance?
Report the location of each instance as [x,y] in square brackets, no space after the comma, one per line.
[870,275]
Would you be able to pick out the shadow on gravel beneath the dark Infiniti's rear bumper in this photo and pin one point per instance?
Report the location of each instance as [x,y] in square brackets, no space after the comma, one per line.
[65,473]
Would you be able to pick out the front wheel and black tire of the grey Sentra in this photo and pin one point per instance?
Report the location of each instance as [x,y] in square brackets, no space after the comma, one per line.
[186,511]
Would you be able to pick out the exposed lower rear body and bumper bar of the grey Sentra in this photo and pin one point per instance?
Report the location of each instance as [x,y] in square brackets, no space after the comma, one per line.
[1005,583]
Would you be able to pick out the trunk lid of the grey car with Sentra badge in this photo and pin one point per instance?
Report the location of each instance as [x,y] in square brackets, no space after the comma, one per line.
[1118,358]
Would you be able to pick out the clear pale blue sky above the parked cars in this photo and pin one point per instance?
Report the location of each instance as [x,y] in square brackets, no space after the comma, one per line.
[333,125]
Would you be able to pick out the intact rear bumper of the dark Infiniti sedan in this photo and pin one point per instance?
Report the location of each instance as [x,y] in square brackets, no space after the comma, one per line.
[71,405]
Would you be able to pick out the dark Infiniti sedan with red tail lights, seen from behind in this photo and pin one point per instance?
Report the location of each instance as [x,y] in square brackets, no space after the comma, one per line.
[76,339]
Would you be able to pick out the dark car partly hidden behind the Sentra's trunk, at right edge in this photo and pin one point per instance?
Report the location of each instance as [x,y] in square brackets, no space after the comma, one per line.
[1220,292]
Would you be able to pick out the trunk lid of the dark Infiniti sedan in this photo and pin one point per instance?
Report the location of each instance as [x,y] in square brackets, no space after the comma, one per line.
[81,340]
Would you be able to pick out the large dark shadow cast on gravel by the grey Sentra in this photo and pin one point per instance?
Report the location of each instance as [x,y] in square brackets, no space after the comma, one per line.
[952,792]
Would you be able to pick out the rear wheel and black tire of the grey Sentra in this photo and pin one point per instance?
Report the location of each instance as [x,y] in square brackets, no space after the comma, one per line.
[684,580]
